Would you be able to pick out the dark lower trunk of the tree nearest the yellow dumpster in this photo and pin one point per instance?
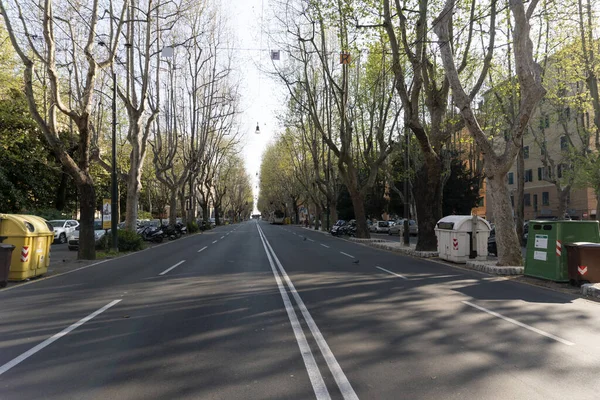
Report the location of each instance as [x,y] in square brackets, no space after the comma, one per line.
[87,207]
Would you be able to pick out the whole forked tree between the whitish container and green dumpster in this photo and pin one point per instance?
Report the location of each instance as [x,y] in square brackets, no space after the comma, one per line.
[530,90]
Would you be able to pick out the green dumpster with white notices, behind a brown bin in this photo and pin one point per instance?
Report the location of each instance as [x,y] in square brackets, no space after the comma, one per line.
[546,252]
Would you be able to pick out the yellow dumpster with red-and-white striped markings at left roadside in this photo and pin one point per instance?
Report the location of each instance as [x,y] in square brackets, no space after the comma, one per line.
[32,238]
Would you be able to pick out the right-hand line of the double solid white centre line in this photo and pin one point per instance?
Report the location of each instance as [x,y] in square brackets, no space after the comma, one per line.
[338,374]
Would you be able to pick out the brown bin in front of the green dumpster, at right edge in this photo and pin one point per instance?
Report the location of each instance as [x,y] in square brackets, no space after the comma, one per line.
[583,259]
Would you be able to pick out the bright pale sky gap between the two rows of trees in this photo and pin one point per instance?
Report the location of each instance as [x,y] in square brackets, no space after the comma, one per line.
[262,97]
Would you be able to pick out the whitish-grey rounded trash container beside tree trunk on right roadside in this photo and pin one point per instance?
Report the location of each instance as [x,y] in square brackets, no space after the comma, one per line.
[455,238]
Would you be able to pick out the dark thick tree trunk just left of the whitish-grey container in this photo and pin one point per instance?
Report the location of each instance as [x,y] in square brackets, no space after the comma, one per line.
[428,191]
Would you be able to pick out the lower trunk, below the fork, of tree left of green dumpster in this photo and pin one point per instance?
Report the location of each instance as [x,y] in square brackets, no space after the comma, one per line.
[507,242]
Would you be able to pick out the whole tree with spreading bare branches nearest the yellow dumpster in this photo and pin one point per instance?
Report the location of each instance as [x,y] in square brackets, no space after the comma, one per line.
[41,52]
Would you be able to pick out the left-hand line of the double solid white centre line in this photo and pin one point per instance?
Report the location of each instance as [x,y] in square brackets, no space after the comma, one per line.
[316,379]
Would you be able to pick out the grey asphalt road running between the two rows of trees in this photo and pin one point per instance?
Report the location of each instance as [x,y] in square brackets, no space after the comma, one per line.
[255,311]
